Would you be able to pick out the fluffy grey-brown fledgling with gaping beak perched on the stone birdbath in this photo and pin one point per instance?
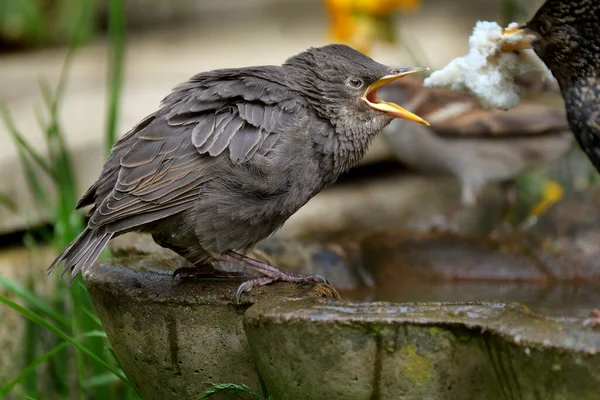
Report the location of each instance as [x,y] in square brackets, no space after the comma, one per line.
[231,154]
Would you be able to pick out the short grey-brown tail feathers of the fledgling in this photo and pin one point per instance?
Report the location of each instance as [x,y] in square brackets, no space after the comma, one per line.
[82,252]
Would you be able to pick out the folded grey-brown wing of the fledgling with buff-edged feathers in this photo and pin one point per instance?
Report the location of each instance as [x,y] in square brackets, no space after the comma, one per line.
[167,159]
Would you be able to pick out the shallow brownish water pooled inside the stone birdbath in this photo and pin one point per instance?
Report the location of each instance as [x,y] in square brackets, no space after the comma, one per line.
[551,275]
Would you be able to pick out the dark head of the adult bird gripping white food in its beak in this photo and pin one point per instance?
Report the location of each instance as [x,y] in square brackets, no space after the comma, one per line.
[566,36]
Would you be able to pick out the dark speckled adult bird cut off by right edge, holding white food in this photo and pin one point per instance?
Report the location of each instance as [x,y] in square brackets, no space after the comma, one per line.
[566,36]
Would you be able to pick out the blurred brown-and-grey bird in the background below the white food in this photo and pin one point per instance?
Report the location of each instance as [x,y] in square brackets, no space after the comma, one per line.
[475,145]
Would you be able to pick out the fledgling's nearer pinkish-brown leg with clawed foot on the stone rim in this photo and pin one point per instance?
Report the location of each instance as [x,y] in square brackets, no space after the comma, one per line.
[271,273]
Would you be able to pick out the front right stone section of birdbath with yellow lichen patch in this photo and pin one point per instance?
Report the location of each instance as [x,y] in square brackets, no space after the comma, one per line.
[312,349]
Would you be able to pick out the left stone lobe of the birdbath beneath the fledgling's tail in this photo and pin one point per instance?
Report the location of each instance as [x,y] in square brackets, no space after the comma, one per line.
[174,338]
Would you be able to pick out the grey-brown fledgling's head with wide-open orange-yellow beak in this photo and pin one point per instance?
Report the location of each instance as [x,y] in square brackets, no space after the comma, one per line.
[342,84]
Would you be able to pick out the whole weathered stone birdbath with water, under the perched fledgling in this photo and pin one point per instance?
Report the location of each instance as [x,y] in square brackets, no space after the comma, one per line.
[441,321]
